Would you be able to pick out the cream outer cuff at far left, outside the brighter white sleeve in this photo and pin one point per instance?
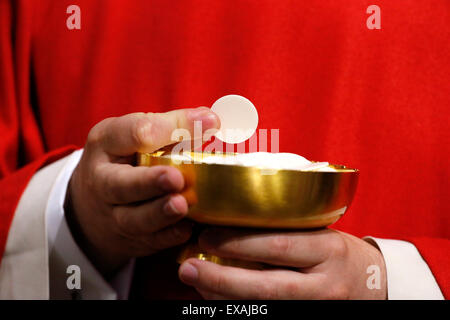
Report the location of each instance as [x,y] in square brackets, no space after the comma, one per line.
[24,270]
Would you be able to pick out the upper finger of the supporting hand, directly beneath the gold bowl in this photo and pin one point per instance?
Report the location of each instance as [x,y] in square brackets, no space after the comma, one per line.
[293,249]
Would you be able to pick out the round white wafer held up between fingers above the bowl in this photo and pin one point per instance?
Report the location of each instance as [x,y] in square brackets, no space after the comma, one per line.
[238,118]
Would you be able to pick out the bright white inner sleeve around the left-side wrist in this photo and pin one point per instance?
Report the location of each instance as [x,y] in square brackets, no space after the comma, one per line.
[64,252]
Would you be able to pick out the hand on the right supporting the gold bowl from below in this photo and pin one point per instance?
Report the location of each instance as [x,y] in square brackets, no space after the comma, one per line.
[322,264]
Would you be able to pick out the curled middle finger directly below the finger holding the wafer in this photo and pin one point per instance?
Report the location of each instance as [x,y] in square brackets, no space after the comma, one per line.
[122,183]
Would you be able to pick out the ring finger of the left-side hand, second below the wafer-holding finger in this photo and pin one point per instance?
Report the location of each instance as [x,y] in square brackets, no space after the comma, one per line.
[150,216]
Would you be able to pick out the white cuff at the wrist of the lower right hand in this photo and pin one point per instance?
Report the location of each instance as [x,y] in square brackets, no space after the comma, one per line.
[408,275]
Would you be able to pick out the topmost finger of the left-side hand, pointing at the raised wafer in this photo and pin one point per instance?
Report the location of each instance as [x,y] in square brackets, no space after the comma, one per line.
[147,132]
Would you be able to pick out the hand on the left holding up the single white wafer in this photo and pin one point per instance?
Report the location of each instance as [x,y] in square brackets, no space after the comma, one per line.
[117,211]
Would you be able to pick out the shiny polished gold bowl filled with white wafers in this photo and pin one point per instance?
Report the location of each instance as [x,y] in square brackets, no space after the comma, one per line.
[232,195]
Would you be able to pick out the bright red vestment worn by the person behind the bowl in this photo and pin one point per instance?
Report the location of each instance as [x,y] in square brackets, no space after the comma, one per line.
[376,100]
